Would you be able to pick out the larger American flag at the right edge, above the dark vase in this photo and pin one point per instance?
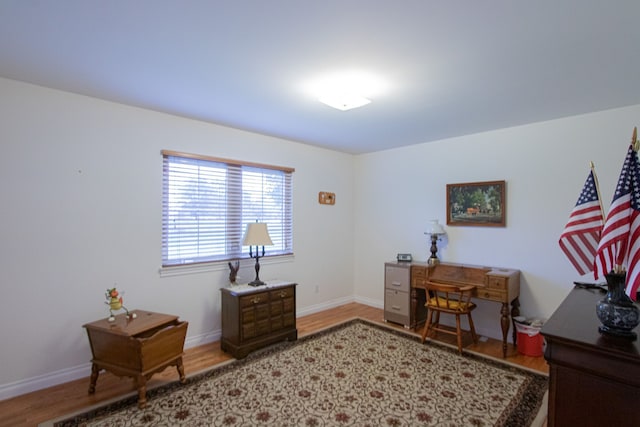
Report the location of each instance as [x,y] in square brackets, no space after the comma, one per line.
[622,227]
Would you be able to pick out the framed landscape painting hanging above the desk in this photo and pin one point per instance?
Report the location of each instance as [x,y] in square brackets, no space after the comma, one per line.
[476,203]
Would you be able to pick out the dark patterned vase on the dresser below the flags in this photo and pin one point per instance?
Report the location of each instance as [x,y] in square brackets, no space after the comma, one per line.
[618,314]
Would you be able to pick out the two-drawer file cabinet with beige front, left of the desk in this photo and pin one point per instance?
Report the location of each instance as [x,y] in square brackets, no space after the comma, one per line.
[402,303]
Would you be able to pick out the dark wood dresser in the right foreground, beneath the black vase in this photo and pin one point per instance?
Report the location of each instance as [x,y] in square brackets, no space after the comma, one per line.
[594,379]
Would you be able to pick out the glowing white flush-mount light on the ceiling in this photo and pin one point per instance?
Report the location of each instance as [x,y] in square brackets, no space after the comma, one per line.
[345,90]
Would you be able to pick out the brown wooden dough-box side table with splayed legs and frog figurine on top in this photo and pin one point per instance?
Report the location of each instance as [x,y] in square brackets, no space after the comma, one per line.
[136,348]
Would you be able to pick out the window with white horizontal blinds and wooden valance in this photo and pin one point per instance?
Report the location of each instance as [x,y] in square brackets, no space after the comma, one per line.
[208,202]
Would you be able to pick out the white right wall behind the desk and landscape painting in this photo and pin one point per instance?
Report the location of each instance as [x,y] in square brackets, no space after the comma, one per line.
[544,165]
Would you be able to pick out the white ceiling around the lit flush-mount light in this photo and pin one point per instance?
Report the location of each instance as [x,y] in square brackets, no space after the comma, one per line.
[451,67]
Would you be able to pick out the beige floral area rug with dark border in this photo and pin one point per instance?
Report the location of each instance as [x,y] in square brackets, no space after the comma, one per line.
[354,374]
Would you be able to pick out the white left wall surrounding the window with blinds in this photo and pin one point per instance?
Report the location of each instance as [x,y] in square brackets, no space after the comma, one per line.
[81,210]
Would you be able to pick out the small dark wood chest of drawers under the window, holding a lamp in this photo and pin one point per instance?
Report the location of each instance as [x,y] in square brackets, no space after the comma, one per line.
[254,317]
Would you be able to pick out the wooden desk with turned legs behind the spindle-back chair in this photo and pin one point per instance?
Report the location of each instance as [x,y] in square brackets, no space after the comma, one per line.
[501,285]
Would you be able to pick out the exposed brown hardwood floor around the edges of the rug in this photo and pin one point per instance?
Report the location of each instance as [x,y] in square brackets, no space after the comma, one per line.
[33,408]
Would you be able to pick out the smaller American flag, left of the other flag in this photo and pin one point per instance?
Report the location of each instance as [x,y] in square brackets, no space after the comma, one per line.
[579,240]
